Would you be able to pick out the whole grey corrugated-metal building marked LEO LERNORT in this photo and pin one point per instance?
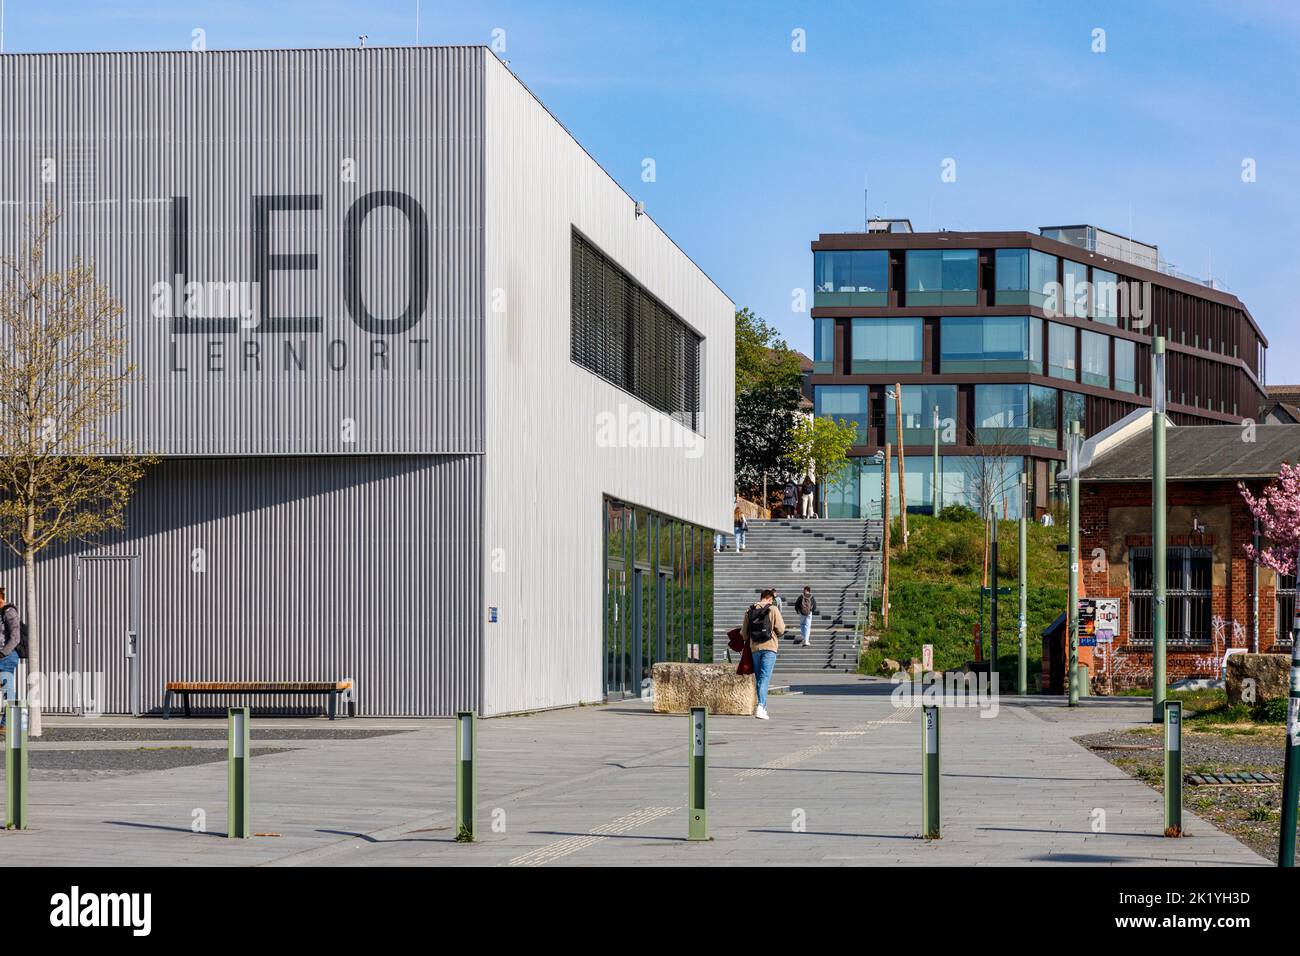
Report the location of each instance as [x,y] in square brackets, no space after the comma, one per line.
[462,425]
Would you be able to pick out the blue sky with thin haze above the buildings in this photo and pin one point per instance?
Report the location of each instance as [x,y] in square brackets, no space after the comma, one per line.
[759,149]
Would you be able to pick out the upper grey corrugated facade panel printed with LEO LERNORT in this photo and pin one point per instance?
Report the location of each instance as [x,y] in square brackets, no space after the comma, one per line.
[363,142]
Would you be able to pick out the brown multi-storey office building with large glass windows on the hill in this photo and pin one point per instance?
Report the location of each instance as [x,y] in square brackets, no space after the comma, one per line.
[1011,336]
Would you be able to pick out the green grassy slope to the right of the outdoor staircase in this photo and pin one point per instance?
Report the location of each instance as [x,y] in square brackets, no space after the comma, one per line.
[935,592]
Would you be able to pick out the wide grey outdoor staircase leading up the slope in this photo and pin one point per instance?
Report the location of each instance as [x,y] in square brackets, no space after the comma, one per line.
[837,559]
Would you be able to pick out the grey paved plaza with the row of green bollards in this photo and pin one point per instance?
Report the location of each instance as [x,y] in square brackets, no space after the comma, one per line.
[833,778]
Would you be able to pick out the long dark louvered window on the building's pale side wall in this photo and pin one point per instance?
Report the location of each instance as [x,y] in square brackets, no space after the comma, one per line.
[625,335]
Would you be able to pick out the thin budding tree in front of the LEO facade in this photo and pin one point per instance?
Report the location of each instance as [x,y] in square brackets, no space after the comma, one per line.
[63,371]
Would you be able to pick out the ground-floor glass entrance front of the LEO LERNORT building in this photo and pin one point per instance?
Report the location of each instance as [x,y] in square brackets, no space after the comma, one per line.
[658,595]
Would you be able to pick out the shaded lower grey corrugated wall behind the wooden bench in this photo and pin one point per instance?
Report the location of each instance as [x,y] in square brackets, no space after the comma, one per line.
[283,569]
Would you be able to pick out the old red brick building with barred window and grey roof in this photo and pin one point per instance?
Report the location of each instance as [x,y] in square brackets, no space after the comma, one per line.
[1217,598]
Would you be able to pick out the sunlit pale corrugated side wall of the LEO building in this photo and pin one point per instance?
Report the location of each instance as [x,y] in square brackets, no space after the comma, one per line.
[560,438]
